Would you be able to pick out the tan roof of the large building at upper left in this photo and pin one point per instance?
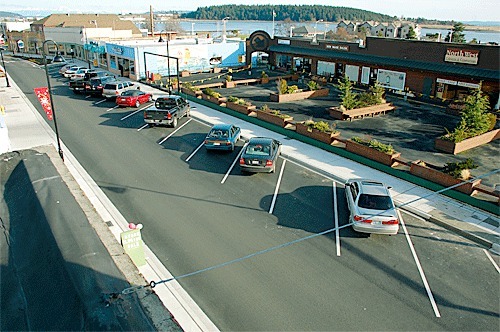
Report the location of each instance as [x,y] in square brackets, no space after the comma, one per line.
[88,21]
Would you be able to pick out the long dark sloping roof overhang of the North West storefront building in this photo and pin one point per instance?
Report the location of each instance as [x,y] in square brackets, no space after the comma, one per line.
[374,60]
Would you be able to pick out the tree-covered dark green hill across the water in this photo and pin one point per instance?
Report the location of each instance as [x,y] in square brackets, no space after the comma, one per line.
[286,12]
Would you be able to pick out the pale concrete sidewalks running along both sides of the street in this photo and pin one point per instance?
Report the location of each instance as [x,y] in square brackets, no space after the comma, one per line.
[28,129]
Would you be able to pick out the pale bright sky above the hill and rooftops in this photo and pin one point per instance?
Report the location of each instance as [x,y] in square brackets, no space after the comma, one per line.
[457,10]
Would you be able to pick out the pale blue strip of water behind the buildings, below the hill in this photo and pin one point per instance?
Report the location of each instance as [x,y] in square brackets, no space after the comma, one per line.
[247,27]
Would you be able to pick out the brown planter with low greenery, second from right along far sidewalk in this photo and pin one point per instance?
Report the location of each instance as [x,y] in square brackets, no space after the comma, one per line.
[373,149]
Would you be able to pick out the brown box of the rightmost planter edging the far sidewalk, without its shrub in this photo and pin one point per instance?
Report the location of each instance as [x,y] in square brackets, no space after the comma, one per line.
[432,173]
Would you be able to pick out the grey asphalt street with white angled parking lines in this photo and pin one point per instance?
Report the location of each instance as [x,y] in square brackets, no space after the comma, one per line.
[200,213]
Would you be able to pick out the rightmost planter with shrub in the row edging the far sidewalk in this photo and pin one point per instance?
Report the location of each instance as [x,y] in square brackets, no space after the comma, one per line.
[451,174]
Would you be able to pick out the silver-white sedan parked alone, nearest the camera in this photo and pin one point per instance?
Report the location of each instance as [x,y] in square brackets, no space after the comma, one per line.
[371,207]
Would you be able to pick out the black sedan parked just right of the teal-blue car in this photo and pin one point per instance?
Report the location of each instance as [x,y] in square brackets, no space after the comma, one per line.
[260,155]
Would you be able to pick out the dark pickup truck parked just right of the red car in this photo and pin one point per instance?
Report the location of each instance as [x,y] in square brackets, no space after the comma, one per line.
[167,111]
